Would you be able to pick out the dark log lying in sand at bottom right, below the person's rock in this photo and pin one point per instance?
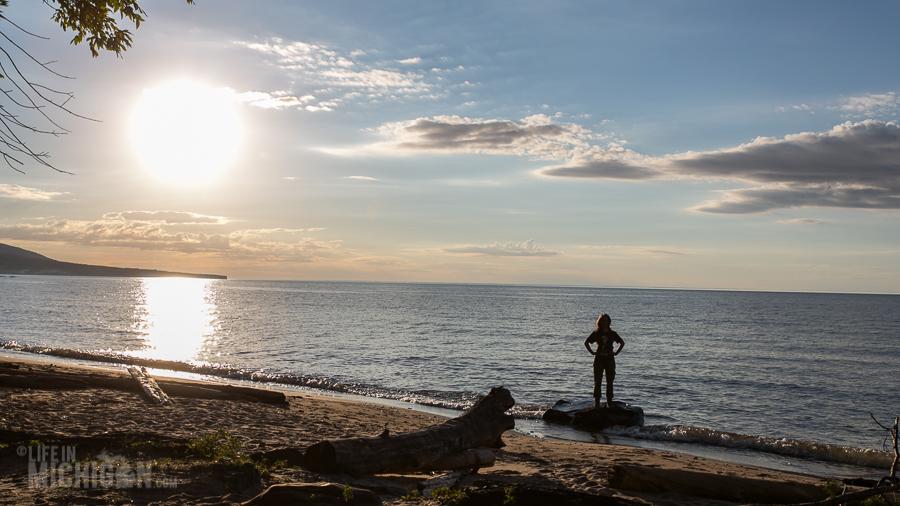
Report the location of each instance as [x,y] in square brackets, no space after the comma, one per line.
[711,486]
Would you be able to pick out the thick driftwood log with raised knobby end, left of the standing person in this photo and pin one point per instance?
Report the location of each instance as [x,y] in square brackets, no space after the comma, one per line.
[481,425]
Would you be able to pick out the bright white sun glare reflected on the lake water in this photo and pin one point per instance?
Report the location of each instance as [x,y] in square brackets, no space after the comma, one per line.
[176,316]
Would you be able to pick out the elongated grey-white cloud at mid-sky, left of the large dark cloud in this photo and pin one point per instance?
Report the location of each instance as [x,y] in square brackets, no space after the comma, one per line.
[535,136]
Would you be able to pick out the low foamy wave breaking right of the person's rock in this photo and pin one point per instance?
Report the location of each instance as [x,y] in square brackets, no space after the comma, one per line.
[786,447]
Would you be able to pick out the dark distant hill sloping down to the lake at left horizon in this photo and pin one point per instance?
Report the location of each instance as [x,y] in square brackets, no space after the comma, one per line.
[15,260]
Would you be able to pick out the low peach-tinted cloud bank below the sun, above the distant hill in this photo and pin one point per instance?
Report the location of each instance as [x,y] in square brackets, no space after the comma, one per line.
[114,230]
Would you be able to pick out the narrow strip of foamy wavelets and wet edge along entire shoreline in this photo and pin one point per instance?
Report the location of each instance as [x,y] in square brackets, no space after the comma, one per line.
[786,455]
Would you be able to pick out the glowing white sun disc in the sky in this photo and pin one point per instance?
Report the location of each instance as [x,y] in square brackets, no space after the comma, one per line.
[186,132]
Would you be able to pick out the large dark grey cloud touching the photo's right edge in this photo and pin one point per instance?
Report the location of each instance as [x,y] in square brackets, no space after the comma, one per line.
[853,165]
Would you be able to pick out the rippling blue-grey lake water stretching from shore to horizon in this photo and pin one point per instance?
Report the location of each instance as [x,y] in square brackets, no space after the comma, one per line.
[794,375]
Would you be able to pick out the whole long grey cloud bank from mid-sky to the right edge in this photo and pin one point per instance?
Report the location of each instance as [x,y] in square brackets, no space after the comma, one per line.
[853,165]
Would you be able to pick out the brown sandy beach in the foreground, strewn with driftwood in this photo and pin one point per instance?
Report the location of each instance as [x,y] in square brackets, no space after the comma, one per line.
[119,422]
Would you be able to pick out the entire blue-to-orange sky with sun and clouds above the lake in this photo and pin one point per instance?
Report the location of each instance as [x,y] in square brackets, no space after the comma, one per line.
[691,144]
